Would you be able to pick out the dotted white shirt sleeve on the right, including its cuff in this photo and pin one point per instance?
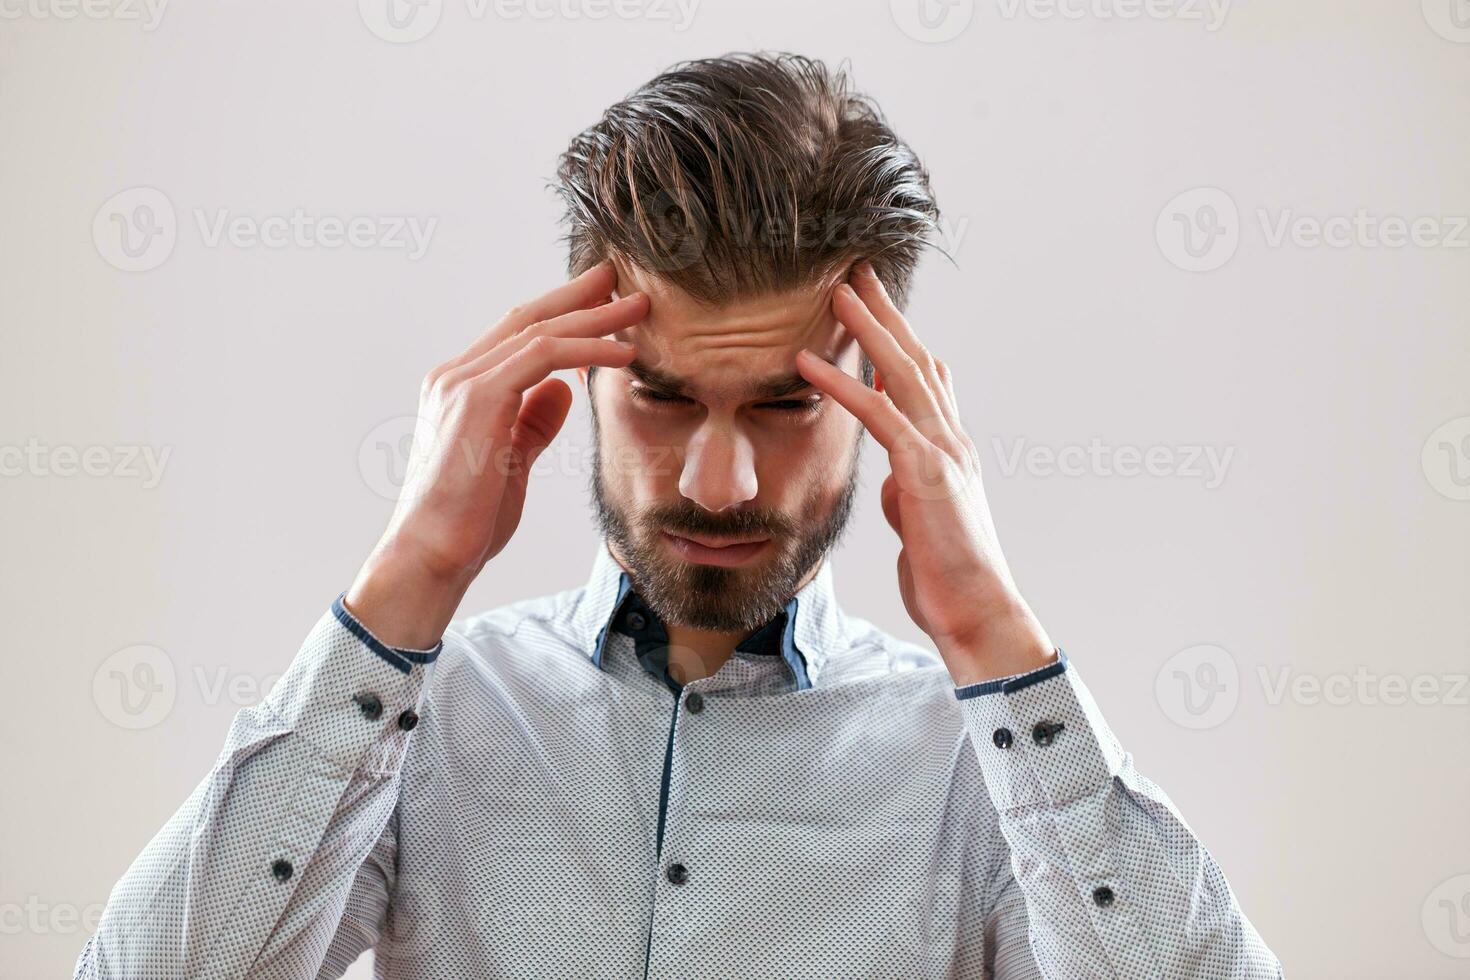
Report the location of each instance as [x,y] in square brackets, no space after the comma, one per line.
[1108,879]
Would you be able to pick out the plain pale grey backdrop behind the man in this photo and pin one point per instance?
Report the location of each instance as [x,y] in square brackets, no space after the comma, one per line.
[1331,550]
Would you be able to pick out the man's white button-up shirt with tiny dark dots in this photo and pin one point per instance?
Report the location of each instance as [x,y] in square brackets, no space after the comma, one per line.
[868,826]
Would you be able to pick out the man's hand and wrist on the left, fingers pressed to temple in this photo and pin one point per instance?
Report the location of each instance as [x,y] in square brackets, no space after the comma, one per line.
[484,418]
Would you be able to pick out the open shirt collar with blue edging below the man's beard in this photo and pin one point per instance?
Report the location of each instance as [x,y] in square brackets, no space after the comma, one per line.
[805,633]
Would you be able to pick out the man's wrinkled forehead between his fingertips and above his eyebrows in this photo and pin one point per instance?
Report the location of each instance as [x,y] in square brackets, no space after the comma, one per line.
[721,352]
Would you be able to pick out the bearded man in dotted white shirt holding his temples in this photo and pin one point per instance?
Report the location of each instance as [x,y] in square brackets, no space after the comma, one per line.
[696,765]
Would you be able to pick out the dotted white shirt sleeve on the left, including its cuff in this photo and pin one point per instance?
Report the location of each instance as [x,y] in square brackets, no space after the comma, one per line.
[252,876]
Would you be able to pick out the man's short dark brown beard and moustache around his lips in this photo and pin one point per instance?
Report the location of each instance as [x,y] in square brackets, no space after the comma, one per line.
[709,597]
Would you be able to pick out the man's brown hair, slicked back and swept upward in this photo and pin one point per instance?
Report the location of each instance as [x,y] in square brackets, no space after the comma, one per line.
[746,176]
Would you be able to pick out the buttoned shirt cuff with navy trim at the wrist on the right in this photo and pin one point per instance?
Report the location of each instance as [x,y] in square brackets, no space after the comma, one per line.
[1041,740]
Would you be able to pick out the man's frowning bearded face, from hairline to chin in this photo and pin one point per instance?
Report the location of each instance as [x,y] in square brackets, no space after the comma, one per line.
[723,477]
